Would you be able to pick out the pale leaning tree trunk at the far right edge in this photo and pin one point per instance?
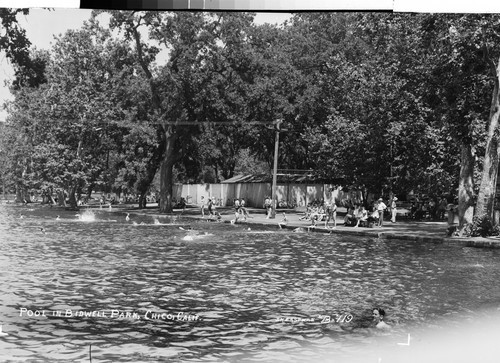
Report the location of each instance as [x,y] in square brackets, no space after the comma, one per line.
[487,189]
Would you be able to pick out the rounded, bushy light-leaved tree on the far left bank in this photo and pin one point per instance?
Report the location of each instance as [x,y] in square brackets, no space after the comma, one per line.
[70,122]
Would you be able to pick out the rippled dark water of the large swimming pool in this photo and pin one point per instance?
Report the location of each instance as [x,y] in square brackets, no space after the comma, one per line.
[156,290]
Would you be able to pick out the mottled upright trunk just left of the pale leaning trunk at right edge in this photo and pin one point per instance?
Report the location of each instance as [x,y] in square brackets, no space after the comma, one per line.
[465,187]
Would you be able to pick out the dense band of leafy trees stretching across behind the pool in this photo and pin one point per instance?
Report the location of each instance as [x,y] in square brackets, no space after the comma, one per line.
[387,102]
